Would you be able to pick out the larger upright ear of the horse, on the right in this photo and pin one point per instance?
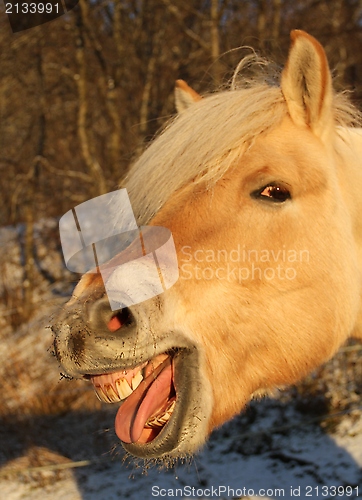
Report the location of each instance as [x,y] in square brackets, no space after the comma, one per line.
[307,84]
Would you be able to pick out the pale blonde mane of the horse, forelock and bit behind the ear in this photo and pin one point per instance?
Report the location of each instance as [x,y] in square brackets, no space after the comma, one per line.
[201,144]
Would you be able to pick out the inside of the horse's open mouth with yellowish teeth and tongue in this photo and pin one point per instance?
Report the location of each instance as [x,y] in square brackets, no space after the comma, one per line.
[147,394]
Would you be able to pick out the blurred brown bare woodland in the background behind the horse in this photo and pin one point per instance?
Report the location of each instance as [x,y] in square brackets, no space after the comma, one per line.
[107,74]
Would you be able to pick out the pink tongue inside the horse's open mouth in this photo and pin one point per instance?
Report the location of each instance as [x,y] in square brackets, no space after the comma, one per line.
[150,396]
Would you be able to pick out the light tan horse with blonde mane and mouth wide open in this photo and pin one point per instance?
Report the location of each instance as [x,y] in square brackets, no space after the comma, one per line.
[260,186]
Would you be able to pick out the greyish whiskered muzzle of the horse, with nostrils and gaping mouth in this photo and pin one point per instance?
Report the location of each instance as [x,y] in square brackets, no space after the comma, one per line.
[154,376]
